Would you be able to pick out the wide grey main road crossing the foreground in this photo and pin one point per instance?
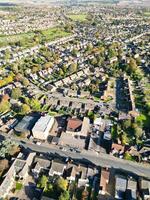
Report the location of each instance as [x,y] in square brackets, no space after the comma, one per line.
[101,159]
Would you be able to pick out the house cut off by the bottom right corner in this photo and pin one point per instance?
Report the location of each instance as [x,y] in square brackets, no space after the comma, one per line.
[145,189]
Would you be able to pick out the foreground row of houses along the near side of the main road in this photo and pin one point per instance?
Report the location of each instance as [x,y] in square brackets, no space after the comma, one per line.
[107,182]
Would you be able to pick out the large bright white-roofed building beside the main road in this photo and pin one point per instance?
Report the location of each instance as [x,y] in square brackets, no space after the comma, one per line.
[42,127]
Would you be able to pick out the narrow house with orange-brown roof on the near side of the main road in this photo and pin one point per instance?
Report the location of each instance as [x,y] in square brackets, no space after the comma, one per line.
[104,180]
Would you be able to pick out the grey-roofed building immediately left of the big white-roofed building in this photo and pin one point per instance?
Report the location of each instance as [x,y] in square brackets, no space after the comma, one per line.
[25,125]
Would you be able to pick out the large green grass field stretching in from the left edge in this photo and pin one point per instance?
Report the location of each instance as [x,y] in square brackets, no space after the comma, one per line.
[27,39]
